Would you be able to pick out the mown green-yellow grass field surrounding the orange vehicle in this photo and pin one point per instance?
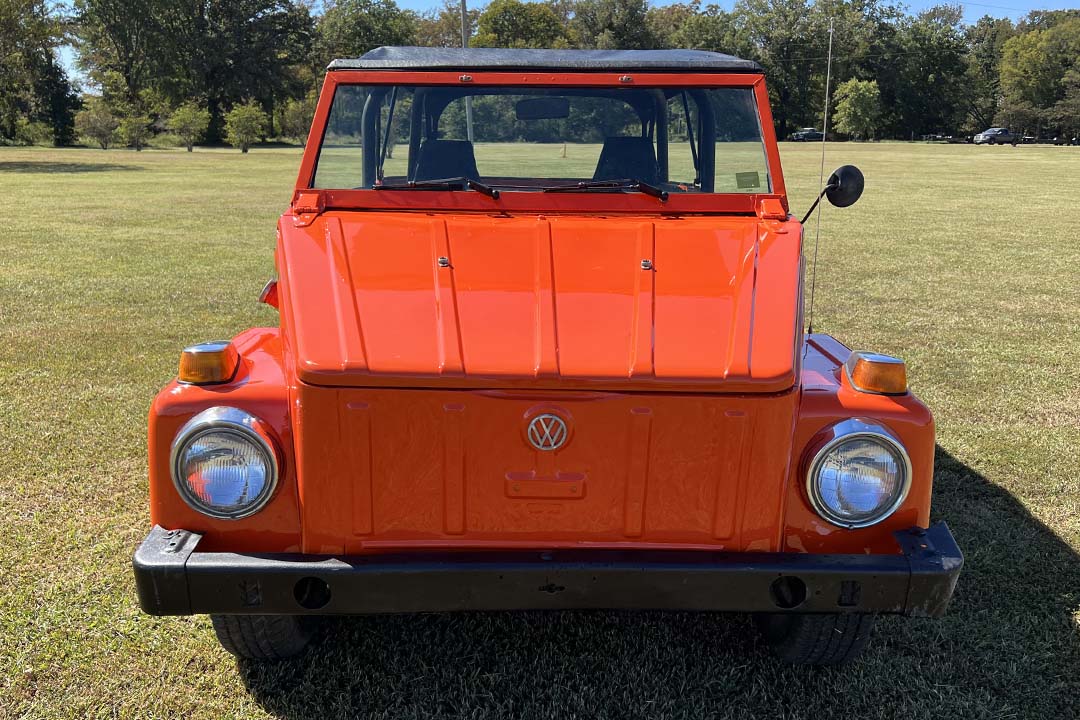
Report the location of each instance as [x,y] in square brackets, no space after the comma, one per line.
[964,261]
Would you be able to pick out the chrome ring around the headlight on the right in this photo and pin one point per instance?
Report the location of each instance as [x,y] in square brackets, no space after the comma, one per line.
[844,432]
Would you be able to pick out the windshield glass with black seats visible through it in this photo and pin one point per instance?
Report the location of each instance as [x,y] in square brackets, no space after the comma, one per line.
[520,139]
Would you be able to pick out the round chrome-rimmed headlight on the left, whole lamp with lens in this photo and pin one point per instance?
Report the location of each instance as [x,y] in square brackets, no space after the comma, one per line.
[224,464]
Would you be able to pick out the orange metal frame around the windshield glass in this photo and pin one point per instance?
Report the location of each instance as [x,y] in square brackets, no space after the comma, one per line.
[524,201]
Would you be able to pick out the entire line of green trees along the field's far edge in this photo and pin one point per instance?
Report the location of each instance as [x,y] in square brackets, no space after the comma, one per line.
[240,71]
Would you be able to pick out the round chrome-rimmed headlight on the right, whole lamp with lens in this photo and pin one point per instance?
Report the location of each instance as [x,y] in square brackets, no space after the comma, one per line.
[860,477]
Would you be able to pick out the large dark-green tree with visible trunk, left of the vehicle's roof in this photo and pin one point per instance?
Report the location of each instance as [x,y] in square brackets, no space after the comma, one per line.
[224,51]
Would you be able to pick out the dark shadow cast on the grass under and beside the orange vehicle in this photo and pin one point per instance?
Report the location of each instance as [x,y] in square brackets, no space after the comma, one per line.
[1008,648]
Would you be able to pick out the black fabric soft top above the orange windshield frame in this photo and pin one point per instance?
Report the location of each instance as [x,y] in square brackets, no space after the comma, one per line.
[499,59]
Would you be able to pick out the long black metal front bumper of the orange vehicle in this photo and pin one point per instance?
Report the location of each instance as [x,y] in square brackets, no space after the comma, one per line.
[174,579]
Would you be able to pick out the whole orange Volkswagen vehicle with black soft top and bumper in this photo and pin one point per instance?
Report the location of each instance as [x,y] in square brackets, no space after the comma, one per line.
[542,347]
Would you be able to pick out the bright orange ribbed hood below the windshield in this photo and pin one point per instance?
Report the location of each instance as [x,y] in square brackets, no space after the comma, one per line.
[414,300]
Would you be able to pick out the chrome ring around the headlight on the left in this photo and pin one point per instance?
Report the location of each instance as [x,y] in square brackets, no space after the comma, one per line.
[241,424]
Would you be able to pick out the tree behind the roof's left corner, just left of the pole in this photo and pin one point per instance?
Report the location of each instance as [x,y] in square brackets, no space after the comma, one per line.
[350,29]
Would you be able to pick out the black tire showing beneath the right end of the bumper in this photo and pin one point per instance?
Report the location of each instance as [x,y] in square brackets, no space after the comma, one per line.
[828,640]
